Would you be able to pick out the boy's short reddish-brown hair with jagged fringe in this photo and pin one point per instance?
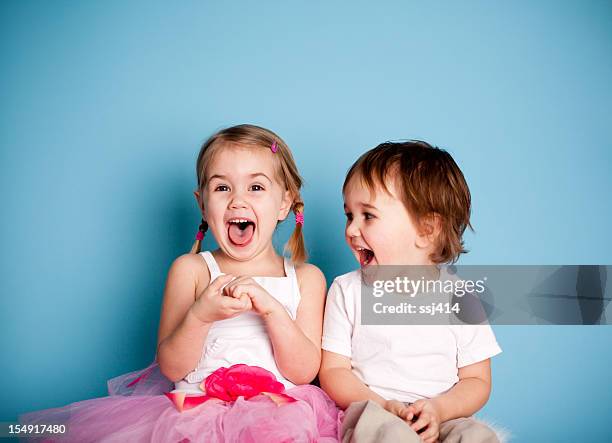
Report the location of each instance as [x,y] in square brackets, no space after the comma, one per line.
[429,182]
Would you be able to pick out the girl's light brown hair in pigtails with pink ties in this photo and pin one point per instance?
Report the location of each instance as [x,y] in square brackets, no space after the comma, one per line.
[285,167]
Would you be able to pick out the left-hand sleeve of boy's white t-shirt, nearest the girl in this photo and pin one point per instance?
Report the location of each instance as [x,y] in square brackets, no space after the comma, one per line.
[337,325]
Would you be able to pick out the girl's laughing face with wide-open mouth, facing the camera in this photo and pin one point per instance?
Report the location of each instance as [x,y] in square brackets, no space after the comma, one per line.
[243,200]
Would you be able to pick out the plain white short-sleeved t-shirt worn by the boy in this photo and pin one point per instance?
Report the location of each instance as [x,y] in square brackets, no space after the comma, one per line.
[401,362]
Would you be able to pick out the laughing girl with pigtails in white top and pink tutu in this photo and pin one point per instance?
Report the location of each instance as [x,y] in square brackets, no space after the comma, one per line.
[240,327]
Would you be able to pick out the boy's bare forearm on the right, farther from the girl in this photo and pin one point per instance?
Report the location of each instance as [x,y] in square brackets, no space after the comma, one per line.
[468,395]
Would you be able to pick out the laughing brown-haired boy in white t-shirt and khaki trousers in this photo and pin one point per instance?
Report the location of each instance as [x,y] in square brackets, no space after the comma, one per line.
[406,204]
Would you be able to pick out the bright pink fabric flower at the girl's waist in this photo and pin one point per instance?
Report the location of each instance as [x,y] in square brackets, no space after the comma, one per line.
[240,381]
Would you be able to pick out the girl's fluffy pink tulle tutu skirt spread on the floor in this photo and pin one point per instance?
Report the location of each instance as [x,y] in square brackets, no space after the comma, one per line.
[140,412]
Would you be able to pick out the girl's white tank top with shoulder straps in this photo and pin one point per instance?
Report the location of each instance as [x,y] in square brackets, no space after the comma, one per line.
[243,339]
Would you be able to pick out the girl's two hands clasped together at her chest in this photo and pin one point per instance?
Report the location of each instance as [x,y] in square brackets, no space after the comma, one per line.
[226,297]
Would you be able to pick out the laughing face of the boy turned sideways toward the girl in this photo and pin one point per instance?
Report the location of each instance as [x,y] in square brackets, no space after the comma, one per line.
[379,229]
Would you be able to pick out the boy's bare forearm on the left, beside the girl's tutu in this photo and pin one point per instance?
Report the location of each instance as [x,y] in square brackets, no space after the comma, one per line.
[341,384]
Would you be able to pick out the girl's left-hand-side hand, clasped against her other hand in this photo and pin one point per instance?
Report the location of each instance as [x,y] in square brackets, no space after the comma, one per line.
[212,305]
